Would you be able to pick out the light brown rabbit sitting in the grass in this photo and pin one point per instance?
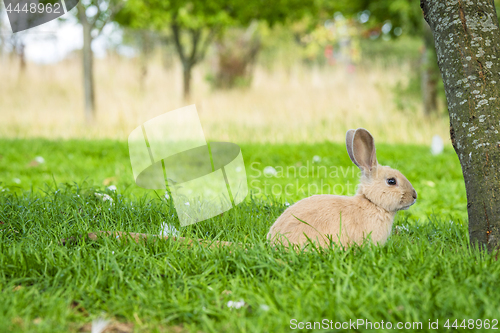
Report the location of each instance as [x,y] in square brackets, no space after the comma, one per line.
[382,192]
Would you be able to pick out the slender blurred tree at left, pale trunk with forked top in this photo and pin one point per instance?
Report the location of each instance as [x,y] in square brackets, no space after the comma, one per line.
[93,15]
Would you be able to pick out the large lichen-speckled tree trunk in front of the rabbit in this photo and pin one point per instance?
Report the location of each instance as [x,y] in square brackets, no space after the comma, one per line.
[467,39]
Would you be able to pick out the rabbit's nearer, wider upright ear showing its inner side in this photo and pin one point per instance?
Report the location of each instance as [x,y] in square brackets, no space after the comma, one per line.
[363,150]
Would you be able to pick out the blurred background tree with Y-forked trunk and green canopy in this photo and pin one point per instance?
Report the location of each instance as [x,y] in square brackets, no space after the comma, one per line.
[194,24]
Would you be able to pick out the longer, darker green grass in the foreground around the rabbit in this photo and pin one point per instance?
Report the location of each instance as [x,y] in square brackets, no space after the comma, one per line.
[426,271]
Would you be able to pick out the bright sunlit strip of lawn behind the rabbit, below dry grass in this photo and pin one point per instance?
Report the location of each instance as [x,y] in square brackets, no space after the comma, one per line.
[100,163]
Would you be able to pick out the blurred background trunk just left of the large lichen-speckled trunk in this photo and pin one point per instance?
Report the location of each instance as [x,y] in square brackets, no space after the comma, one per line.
[430,73]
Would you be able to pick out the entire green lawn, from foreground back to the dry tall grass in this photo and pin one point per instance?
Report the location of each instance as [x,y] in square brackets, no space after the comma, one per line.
[426,271]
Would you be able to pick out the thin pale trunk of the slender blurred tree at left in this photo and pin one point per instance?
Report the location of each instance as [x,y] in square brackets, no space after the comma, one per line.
[88,67]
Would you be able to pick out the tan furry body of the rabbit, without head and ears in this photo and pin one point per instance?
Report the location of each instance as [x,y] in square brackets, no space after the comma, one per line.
[344,219]
